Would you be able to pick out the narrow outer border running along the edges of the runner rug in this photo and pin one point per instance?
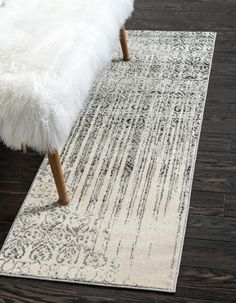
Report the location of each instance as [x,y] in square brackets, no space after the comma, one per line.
[168,290]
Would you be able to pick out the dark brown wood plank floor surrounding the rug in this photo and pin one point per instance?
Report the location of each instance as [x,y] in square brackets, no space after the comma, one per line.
[208,268]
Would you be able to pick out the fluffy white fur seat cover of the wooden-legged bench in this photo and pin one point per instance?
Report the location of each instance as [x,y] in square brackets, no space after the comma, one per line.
[50,53]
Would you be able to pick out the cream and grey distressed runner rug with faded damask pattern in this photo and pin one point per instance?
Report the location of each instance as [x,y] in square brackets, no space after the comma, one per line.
[129,165]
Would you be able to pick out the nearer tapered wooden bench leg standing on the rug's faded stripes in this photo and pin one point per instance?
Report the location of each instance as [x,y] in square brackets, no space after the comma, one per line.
[54,160]
